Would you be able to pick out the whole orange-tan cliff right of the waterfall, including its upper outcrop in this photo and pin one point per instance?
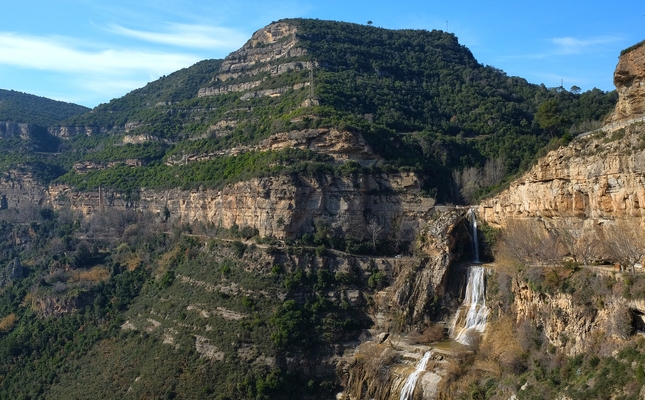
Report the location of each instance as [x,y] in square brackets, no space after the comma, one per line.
[593,189]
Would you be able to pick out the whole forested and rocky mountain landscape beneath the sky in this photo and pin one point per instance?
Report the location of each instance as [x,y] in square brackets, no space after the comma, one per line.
[278,224]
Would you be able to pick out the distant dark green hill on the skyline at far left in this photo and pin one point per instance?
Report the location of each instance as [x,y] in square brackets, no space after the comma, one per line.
[27,108]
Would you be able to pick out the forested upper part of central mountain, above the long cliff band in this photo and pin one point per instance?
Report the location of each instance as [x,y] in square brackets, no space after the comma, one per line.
[417,99]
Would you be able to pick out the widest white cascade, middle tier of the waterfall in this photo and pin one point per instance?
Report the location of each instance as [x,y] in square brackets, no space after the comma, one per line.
[475,303]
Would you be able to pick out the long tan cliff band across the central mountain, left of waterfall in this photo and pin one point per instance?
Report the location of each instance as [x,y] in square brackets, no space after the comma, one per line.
[278,206]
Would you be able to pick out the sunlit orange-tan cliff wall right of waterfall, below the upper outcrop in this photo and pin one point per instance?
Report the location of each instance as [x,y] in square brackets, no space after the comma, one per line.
[594,178]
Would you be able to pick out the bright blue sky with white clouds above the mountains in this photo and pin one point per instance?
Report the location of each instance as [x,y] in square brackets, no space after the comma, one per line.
[89,52]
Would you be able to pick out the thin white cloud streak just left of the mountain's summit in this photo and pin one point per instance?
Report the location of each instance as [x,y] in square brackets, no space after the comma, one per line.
[191,36]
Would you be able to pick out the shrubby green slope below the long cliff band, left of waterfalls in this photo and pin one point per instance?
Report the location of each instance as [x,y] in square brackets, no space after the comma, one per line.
[181,314]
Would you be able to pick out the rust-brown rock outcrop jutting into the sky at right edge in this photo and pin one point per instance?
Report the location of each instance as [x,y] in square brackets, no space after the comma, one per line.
[629,79]
